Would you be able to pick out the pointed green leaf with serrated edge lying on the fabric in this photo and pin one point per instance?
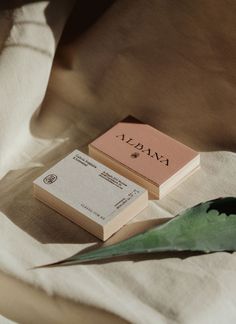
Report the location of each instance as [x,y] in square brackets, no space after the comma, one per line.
[206,227]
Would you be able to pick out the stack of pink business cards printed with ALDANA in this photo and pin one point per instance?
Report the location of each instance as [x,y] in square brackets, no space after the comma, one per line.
[145,155]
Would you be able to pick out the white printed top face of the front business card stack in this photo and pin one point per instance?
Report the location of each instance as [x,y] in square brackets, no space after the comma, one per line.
[89,187]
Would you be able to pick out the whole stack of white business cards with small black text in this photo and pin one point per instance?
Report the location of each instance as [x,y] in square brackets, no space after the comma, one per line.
[90,194]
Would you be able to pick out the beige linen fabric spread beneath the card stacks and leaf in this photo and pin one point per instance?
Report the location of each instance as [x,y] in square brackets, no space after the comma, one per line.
[172,65]
